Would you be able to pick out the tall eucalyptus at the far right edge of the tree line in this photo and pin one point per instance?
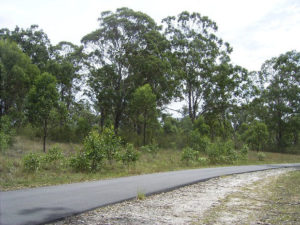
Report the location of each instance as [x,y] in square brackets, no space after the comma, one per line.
[281,95]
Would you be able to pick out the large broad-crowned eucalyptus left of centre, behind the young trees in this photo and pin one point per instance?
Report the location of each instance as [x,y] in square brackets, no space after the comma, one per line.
[125,53]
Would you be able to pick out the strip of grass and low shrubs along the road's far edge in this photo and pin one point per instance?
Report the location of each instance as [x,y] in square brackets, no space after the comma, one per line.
[24,165]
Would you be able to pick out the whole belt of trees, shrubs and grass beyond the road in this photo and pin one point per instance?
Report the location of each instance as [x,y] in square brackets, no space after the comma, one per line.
[71,112]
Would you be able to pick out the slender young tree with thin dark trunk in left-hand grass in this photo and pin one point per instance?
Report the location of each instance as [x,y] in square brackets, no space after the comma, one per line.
[42,98]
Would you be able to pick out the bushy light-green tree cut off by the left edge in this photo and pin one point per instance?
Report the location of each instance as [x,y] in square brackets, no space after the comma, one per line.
[16,77]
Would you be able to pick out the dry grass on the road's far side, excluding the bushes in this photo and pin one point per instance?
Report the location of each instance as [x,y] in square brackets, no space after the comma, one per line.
[12,175]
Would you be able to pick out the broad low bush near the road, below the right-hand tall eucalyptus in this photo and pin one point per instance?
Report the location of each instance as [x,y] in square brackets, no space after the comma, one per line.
[222,152]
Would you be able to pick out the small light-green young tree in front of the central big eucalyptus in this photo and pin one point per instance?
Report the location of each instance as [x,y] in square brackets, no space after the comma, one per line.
[143,105]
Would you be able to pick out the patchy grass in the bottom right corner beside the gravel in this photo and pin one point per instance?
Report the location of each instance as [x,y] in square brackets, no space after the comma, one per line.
[274,200]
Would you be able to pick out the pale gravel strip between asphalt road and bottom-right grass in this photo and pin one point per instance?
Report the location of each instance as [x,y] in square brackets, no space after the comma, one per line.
[182,206]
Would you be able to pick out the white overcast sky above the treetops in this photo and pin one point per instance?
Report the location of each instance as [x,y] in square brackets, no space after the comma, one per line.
[256,29]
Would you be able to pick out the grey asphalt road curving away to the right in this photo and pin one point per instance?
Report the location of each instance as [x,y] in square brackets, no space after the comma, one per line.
[47,204]
